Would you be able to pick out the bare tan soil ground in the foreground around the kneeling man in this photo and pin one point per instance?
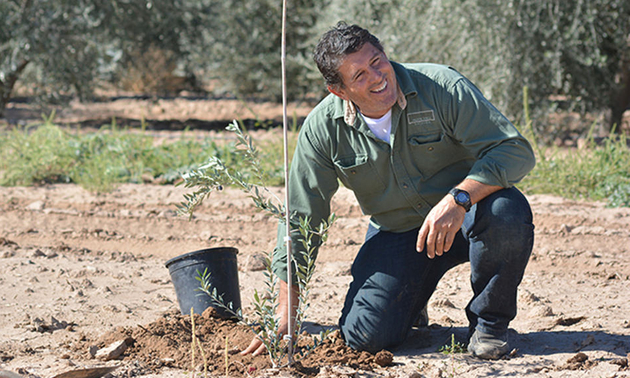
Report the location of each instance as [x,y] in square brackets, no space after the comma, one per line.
[79,271]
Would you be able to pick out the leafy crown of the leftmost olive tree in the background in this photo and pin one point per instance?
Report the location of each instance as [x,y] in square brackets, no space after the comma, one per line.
[52,37]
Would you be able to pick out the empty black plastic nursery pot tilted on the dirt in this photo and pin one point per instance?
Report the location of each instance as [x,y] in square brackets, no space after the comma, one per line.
[221,264]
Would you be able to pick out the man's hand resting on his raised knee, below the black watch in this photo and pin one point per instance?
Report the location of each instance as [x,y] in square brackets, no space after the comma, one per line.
[440,227]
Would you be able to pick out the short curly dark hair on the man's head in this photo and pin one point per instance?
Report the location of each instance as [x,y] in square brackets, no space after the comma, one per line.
[335,45]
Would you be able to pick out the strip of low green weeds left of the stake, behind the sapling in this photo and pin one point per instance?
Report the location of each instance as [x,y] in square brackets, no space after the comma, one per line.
[45,153]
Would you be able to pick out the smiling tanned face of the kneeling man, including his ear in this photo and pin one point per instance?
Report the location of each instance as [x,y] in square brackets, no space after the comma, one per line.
[369,81]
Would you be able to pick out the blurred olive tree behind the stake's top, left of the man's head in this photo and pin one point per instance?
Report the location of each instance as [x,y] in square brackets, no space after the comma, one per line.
[244,53]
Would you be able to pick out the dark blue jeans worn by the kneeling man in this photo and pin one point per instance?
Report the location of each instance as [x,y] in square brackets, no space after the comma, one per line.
[392,282]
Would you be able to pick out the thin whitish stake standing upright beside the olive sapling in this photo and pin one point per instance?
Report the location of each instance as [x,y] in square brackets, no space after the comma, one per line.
[286,179]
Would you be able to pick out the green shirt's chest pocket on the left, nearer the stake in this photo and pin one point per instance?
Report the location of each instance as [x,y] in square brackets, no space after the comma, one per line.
[359,174]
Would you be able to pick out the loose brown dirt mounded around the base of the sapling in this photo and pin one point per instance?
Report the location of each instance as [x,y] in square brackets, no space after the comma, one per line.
[167,342]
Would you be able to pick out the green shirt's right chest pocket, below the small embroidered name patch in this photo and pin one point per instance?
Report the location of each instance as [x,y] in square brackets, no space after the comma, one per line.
[433,151]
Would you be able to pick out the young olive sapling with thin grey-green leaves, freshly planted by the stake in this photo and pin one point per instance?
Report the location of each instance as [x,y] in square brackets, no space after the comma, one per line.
[213,176]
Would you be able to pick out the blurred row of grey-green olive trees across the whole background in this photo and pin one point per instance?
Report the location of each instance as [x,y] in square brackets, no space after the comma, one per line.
[572,50]
